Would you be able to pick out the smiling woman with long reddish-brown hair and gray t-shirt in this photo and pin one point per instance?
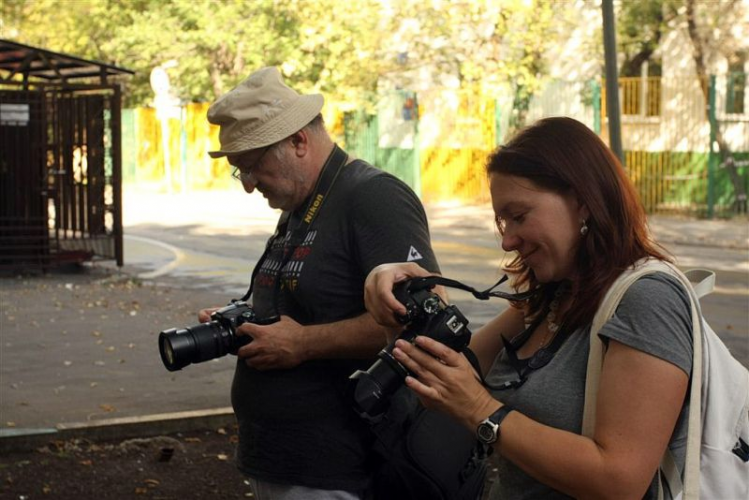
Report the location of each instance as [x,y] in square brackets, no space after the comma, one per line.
[565,207]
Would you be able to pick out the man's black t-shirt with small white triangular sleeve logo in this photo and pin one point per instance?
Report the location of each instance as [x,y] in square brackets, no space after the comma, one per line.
[296,426]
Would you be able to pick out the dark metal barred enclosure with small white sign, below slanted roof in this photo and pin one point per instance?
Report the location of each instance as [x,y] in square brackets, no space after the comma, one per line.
[60,175]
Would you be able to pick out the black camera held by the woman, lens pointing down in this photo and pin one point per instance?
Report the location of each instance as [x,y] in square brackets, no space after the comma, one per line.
[426,315]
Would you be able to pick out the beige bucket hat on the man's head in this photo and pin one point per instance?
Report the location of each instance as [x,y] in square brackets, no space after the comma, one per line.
[259,112]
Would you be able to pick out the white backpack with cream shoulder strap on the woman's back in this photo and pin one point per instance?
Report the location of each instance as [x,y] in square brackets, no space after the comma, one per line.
[717,459]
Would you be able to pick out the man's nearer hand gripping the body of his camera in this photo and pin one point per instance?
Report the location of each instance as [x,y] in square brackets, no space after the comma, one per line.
[281,345]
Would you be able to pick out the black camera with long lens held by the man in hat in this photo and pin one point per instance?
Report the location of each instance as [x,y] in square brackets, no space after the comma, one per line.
[206,341]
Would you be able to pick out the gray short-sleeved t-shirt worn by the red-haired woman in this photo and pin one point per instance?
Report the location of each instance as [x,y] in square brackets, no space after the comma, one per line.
[654,317]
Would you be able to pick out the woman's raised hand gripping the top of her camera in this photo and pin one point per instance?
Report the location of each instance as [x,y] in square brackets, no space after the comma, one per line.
[378,290]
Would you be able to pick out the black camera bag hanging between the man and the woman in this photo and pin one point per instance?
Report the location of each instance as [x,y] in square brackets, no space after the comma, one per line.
[423,454]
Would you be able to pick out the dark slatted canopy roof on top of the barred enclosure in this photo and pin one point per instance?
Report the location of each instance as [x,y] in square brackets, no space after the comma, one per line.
[53,67]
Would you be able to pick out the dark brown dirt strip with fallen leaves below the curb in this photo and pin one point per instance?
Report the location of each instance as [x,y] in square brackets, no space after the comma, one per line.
[192,465]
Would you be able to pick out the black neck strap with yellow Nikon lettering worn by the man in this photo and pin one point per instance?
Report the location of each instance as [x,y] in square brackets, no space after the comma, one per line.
[330,171]
